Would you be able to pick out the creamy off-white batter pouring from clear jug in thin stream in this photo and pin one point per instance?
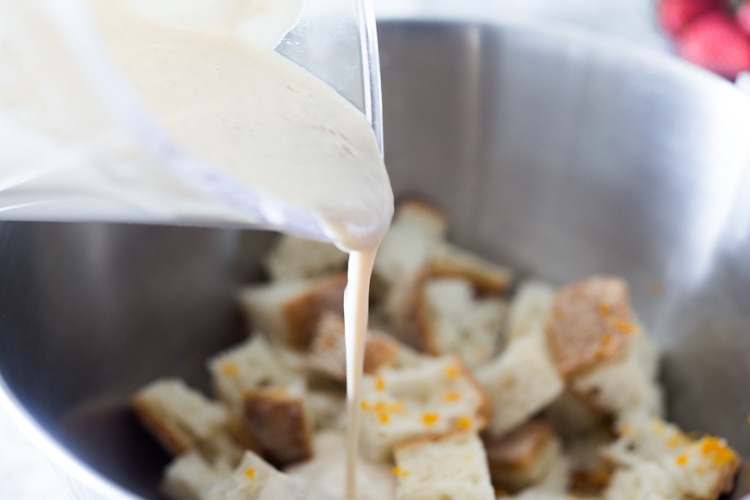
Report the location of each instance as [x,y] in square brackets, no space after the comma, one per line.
[267,123]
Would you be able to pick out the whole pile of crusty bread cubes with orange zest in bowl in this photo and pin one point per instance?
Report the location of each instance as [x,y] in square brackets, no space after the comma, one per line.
[470,391]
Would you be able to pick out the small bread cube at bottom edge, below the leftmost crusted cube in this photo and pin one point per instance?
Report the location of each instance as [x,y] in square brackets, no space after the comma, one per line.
[190,477]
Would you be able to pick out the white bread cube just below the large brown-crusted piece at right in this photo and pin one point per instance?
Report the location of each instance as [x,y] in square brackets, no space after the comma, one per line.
[620,385]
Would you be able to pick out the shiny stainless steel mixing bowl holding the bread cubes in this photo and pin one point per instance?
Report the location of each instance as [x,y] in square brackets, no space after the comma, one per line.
[556,153]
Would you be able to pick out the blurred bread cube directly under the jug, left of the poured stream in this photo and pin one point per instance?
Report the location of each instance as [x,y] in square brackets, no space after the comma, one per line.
[294,258]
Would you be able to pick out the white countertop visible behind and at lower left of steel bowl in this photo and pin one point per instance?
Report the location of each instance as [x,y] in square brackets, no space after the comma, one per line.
[27,474]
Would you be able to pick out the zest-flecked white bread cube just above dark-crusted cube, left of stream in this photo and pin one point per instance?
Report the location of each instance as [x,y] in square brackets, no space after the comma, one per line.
[251,365]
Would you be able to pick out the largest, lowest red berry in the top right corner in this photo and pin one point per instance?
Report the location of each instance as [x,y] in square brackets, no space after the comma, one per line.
[715,42]
